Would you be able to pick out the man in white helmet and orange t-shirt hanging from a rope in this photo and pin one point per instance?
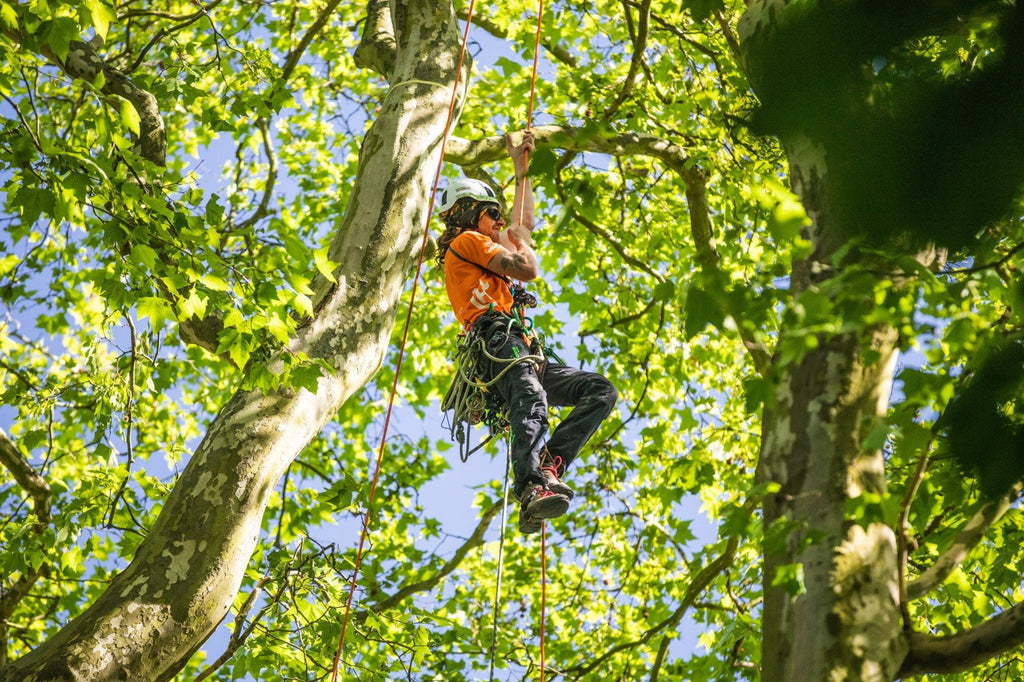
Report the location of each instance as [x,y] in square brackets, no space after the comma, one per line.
[481,257]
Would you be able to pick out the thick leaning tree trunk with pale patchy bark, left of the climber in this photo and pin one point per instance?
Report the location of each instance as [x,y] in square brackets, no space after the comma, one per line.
[187,573]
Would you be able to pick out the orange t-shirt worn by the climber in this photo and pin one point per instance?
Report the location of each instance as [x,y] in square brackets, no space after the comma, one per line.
[472,288]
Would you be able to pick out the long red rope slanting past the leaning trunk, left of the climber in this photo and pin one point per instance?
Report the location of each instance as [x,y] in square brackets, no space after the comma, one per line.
[402,350]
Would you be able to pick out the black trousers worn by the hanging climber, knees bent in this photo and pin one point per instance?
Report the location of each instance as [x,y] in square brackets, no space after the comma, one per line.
[529,395]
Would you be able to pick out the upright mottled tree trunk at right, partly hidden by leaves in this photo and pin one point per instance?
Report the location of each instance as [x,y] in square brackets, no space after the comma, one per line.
[842,620]
